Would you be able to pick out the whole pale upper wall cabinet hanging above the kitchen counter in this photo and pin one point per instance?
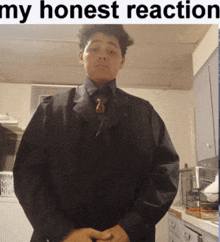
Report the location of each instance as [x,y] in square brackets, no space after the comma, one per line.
[206,109]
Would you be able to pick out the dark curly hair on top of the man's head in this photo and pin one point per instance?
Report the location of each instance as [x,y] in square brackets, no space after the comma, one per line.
[116,30]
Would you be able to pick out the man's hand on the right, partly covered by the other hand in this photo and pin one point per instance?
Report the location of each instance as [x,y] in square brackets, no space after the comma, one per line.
[118,235]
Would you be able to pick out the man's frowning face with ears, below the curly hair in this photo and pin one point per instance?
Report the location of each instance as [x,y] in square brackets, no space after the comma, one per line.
[102,58]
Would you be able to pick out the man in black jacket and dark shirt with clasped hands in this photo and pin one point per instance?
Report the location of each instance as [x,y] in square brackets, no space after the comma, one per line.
[95,163]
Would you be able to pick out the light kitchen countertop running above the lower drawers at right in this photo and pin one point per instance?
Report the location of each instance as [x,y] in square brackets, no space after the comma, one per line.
[206,225]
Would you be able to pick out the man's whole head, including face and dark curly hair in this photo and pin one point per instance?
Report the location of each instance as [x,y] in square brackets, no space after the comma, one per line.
[102,51]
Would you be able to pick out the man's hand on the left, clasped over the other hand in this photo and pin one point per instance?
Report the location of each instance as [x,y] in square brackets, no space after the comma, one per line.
[86,235]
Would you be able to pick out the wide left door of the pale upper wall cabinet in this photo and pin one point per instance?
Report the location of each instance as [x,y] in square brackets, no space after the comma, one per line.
[205,143]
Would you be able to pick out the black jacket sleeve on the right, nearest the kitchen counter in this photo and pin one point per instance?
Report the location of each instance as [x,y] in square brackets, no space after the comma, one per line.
[157,188]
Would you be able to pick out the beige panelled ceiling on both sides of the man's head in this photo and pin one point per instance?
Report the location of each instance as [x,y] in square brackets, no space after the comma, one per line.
[48,54]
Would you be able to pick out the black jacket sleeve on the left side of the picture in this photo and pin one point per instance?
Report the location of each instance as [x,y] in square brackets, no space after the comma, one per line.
[32,186]
